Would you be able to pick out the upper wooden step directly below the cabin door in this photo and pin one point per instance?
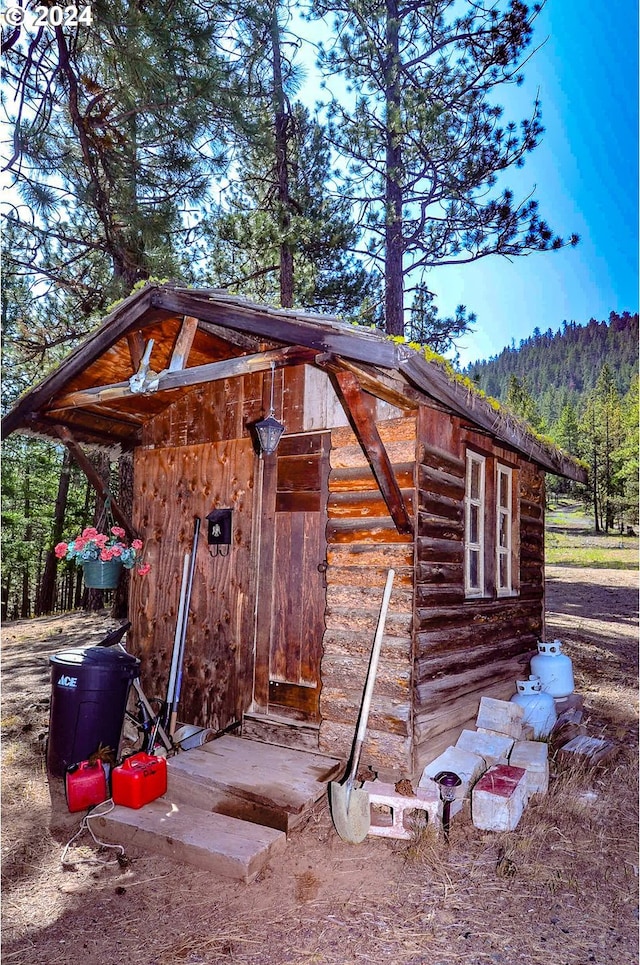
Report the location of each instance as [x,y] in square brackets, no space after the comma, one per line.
[249,780]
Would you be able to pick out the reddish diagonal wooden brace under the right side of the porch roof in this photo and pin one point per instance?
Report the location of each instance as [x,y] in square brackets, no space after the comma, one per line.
[360,410]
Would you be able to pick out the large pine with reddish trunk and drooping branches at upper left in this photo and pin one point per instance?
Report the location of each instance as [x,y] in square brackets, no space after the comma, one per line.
[117,128]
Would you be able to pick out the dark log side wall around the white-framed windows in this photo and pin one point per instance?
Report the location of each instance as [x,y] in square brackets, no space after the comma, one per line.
[469,647]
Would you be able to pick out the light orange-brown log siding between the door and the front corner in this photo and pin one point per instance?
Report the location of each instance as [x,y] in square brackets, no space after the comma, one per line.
[362,544]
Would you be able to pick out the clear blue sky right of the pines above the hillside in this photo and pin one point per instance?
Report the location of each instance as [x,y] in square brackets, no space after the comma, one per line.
[585,175]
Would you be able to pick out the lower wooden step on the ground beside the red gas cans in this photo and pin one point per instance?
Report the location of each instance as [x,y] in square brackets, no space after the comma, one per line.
[213,842]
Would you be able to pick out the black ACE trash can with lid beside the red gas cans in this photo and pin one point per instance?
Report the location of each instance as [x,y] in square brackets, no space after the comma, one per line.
[89,691]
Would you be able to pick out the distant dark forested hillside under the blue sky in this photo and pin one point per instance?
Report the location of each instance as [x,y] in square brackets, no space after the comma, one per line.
[563,366]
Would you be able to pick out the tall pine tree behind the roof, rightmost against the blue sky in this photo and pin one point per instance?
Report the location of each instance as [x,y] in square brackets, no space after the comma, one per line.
[423,137]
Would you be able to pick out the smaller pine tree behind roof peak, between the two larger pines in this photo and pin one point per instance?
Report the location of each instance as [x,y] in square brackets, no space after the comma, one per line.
[246,237]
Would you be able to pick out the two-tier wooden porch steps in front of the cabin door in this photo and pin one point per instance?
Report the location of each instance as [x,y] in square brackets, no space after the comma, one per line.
[230,805]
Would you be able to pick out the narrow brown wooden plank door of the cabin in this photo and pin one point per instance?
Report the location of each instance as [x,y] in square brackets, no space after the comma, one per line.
[291,583]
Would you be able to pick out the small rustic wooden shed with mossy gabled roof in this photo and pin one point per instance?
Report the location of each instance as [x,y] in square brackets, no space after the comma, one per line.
[385,461]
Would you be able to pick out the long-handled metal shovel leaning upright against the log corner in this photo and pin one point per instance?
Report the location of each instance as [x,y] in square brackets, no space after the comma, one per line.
[350,806]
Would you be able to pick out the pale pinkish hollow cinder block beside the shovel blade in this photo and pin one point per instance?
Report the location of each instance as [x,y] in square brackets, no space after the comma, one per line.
[396,822]
